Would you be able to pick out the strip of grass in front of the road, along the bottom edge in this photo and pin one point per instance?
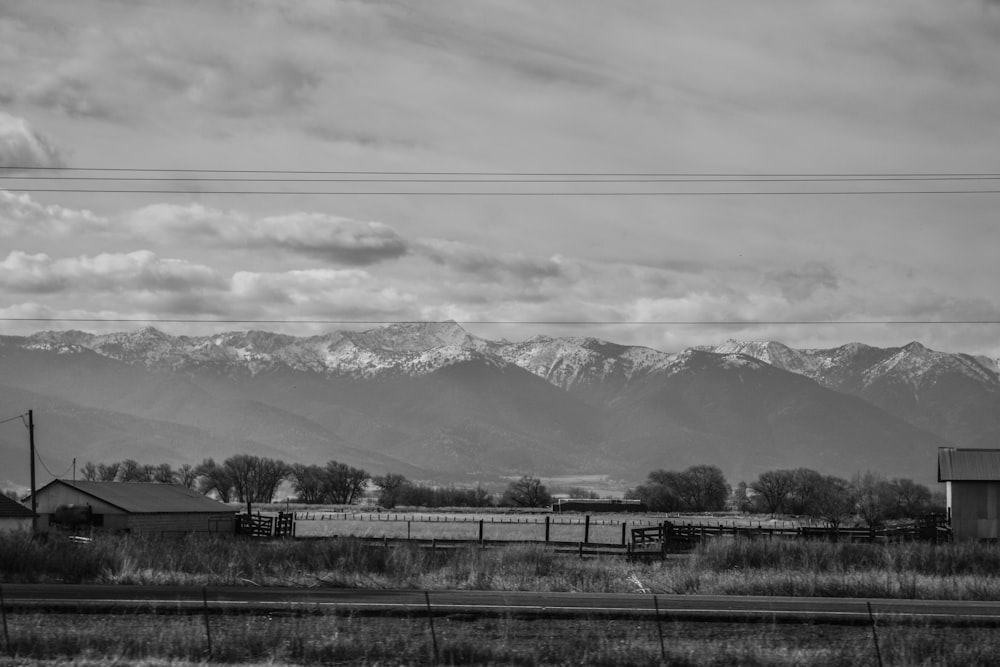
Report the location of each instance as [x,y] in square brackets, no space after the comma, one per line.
[307,639]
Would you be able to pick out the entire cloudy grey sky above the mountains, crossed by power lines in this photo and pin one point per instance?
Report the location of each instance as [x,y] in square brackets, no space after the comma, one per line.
[503,92]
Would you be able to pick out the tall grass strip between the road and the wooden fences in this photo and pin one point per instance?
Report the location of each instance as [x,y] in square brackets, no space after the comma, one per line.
[965,571]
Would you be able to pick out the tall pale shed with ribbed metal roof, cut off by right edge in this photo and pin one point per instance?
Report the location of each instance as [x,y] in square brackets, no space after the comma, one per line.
[972,487]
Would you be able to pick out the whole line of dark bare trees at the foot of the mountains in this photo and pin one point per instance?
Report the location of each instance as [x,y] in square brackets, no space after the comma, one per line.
[869,498]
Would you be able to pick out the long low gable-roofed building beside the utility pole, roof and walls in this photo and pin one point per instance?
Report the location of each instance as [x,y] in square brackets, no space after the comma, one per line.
[140,507]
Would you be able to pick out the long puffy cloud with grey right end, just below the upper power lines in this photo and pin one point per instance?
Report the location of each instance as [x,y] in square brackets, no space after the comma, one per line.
[329,237]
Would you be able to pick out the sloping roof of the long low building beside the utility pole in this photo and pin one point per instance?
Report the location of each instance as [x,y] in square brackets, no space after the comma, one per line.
[146,497]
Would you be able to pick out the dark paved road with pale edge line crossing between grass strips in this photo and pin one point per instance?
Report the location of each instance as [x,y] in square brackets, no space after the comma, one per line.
[95,598]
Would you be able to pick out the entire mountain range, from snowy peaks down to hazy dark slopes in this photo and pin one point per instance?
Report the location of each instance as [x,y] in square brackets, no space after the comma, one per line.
[436,403]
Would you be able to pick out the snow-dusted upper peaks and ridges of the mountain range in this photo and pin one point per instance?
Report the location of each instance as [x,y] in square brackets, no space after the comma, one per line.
[568,363]
